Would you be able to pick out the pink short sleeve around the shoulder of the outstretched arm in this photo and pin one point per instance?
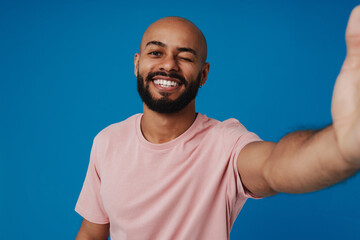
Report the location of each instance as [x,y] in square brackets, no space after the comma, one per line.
[236,137]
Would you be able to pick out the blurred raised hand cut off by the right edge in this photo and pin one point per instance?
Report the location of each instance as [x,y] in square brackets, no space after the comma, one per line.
[345,107]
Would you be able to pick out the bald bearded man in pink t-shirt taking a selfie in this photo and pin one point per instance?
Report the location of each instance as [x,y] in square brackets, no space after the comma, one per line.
[172,173]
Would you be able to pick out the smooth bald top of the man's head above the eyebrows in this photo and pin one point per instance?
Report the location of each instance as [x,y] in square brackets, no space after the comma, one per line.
[166,29]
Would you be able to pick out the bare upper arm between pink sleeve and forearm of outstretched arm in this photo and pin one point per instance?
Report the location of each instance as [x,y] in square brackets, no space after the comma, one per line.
[250,165]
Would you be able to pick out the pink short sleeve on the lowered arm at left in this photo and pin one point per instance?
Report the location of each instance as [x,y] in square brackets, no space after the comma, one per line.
[89,204]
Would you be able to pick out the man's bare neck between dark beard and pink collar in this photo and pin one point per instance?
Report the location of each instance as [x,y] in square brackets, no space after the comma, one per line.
[161,128]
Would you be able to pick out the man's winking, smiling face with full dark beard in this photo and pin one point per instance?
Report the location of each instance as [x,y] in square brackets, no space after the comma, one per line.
[170,66]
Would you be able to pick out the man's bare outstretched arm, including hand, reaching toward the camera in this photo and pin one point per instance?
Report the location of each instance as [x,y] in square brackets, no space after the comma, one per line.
[307,161]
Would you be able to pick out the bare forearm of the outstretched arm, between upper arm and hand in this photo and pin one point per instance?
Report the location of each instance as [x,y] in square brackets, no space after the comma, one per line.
[306,161]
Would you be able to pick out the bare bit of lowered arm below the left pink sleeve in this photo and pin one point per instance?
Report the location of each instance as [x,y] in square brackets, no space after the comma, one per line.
[89,231]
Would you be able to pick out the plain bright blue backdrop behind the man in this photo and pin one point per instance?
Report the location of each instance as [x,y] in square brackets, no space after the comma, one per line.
[66,72]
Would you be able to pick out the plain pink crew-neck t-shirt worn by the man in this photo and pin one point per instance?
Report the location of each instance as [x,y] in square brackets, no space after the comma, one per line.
[187,188]
